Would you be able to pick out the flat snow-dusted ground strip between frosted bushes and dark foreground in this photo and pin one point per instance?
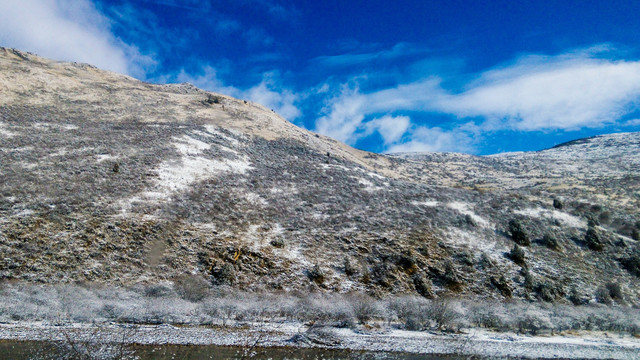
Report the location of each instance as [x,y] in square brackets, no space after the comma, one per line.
[591,345]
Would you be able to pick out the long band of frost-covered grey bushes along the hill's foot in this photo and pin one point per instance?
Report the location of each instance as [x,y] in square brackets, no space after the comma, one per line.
[225,306]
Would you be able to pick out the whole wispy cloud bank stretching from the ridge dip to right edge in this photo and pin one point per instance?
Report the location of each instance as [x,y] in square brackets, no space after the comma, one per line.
[572,91]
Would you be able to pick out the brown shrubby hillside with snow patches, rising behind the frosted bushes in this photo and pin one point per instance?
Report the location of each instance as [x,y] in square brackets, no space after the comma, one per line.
[105,178]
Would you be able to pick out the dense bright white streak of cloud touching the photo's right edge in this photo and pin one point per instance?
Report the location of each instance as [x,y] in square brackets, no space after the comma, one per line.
[566,93]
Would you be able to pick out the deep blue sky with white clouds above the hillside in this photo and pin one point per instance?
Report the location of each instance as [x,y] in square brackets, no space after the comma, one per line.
[479,77]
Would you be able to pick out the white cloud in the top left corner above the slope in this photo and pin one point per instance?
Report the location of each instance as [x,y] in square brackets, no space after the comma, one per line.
[72,30]
